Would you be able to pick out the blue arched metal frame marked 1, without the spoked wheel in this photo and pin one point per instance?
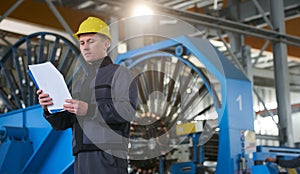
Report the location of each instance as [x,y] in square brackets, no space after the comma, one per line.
[235,111]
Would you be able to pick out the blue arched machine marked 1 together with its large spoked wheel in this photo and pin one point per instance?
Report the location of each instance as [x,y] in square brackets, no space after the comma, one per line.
[184,80]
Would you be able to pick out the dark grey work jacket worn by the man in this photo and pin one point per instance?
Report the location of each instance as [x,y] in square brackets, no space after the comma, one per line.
[111,91]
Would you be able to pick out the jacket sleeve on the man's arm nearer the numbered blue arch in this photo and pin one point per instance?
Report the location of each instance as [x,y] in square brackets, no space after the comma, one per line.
[123,106]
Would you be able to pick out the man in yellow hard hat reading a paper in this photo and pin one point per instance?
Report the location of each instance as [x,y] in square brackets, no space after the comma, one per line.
[102,105]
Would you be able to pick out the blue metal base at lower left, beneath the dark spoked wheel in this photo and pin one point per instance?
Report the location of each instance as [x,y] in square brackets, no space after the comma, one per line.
[49,150]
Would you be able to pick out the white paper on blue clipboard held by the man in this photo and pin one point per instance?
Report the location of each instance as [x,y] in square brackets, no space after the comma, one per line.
[52,82]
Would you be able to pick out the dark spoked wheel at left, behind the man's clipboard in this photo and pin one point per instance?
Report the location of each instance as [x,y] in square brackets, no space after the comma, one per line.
[17,89]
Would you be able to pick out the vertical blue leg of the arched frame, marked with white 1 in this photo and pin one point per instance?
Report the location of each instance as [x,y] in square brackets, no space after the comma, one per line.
[238,116]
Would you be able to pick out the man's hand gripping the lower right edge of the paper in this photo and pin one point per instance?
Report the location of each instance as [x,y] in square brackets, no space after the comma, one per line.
[76,106]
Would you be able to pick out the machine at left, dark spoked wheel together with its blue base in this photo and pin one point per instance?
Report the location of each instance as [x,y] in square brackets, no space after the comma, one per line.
[27,142]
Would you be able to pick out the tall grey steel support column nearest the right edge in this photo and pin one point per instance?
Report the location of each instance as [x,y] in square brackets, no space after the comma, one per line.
[282,76]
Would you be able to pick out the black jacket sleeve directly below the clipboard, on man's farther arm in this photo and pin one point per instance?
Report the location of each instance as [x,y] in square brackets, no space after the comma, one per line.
[60,120]
